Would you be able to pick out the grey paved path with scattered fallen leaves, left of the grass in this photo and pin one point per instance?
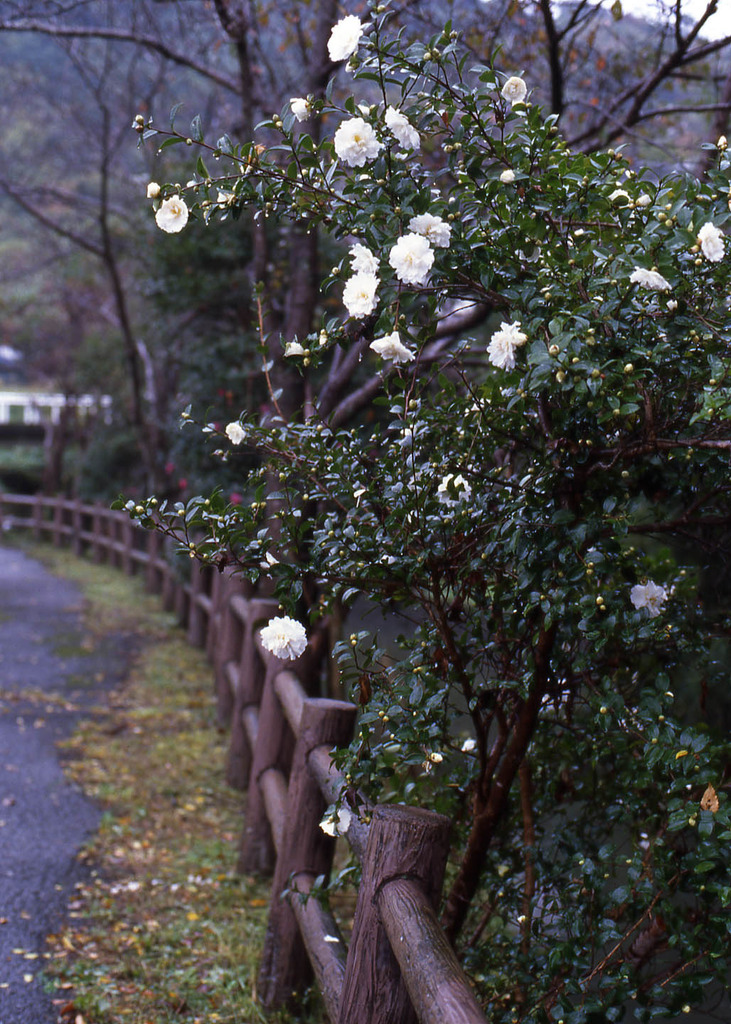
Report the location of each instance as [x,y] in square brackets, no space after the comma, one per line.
[51,674]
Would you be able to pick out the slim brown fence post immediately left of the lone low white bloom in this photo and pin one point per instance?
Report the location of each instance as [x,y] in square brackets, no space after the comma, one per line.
[248,693]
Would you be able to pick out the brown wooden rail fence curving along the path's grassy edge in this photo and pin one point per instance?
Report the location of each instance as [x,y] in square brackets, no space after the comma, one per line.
[399,967]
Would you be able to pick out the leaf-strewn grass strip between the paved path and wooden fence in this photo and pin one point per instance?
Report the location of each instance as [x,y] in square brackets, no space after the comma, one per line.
[164,931]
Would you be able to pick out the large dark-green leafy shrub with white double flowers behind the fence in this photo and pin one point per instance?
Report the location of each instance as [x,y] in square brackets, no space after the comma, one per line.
[522,499]
